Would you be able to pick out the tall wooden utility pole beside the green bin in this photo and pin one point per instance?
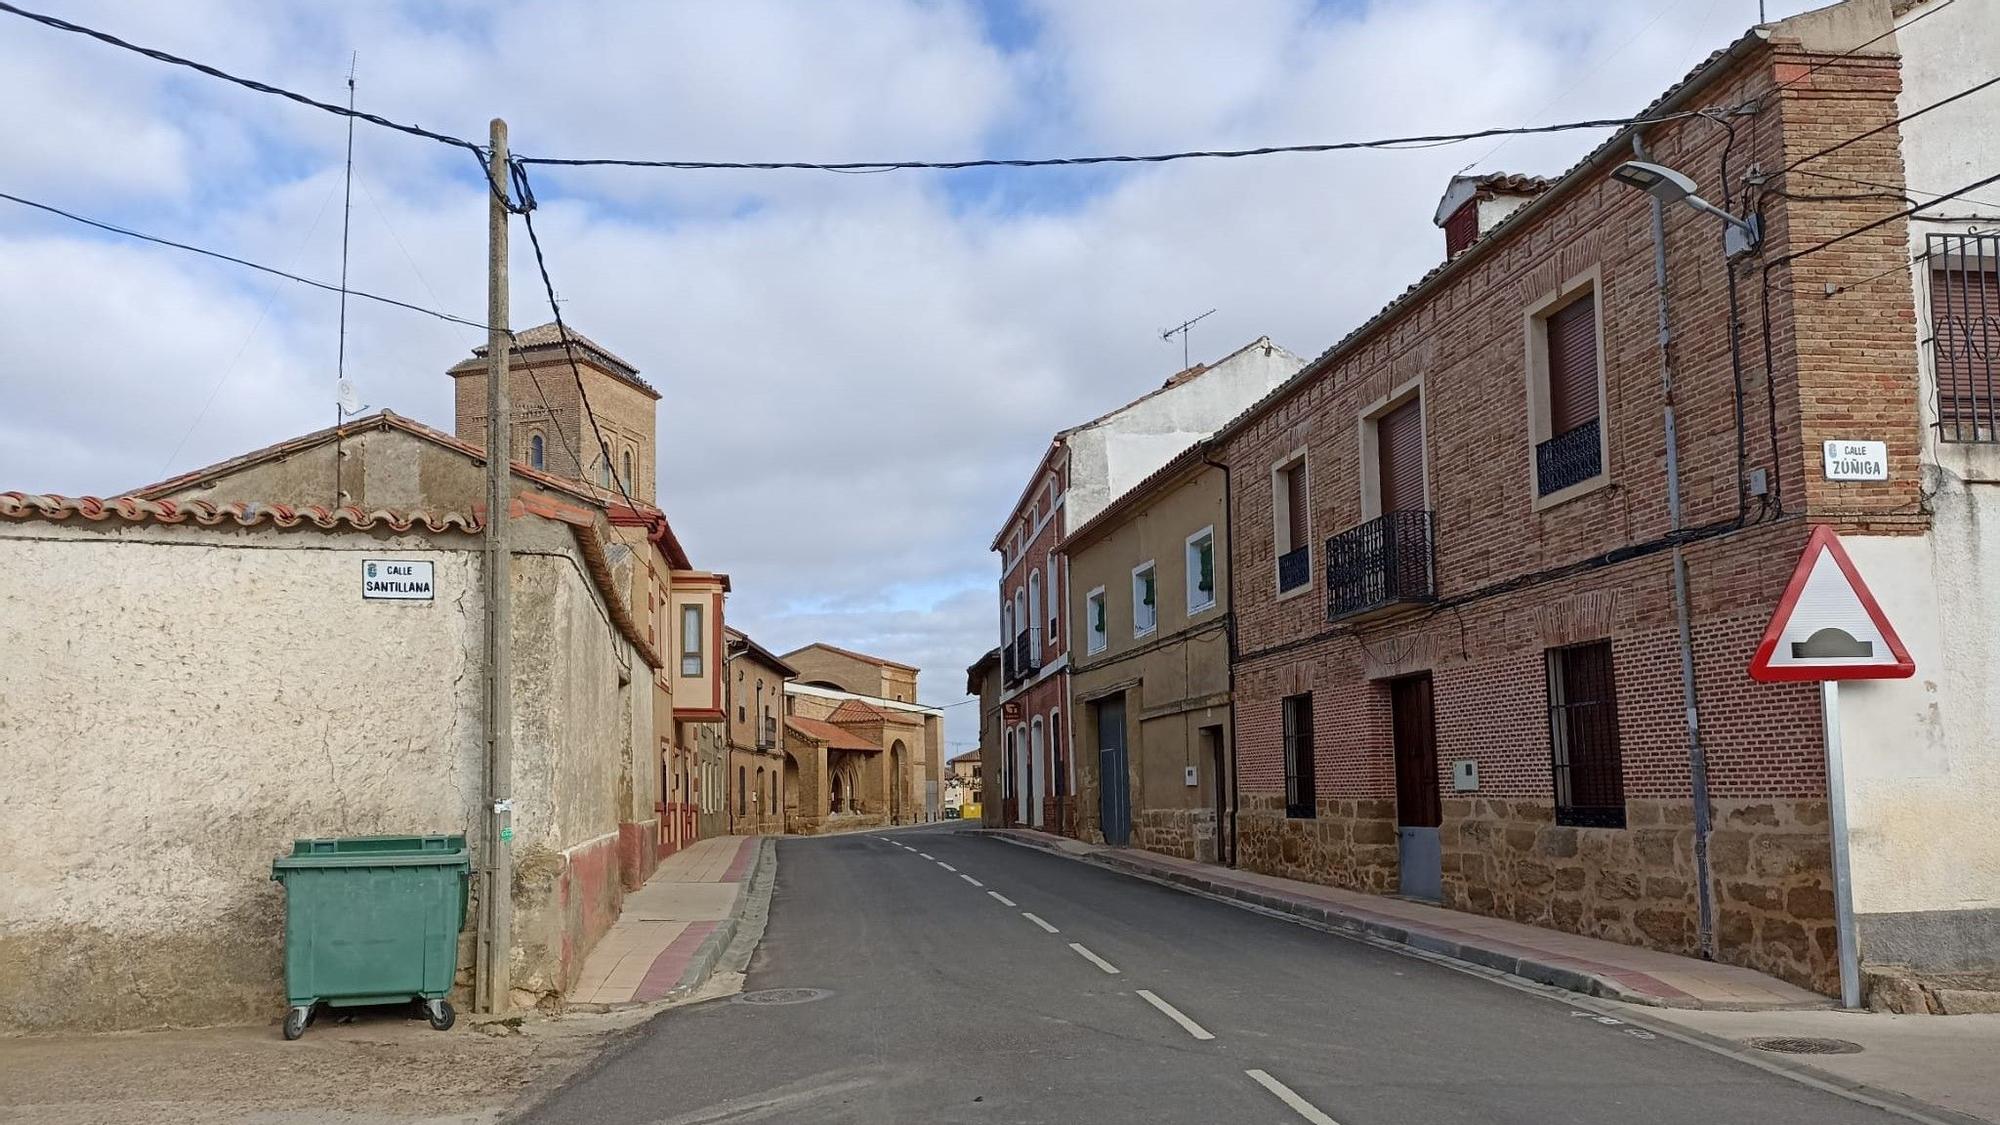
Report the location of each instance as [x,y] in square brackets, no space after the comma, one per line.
[497,866]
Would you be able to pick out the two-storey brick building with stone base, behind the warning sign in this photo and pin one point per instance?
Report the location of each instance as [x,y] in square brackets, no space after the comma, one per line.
[1459,634]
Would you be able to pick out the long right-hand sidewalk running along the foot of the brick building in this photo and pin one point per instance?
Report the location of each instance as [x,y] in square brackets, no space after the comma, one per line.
[1553,958]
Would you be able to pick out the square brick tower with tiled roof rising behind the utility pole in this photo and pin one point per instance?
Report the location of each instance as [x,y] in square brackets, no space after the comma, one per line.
[551,431]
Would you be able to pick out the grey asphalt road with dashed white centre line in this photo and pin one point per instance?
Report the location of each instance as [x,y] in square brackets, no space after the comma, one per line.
[999,984]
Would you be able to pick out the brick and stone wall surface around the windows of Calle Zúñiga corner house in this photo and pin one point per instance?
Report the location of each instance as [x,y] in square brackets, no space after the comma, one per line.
[1519,580]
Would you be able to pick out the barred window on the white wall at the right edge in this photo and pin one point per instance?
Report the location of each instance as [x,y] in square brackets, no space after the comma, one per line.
[1965,335]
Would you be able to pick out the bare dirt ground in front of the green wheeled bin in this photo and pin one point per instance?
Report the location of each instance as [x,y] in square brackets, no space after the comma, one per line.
[377,1068]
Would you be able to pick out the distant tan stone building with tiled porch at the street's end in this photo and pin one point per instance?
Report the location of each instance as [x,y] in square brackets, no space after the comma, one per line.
[859,750]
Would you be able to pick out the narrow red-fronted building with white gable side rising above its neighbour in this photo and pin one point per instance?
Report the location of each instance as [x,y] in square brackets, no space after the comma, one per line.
[1083,471]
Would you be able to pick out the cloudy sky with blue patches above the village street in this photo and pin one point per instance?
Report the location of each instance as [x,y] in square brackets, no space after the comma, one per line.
[857,371]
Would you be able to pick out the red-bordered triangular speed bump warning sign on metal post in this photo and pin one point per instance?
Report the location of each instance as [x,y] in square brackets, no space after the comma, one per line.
[1829,628]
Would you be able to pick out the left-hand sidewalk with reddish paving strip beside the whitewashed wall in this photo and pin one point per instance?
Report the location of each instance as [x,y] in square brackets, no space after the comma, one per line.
[673,928]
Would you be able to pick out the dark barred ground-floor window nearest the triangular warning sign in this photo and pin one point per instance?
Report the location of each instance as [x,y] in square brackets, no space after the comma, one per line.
[1583,738]
